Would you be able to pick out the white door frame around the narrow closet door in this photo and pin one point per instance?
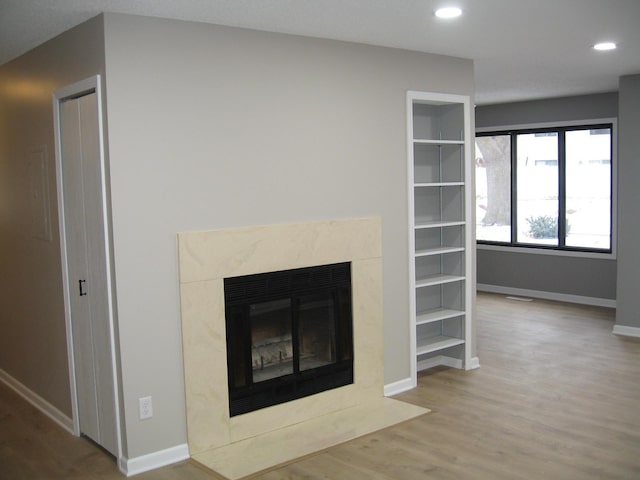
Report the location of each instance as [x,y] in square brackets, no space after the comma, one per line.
[78,89]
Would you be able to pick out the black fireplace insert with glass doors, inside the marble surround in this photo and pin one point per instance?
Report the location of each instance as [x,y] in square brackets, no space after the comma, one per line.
[289,335]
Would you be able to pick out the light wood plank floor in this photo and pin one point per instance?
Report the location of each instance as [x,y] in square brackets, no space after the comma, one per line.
[557,397]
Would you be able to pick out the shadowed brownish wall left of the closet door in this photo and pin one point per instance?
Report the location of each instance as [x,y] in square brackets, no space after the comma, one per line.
[33,346]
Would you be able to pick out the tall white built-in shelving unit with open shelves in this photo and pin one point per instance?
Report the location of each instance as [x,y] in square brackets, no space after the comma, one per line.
[440,230]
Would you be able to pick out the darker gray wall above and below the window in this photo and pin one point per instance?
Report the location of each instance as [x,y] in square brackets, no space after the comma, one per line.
[585,277]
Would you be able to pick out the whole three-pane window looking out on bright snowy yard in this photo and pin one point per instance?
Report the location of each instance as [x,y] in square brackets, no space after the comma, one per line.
[547,188]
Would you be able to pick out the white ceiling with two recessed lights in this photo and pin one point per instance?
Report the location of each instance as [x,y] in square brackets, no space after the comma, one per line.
[522,49]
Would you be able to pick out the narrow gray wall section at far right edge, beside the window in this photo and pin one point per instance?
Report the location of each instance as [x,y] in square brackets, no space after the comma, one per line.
[628,306]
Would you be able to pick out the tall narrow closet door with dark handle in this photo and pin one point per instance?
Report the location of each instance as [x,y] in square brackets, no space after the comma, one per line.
[87,268]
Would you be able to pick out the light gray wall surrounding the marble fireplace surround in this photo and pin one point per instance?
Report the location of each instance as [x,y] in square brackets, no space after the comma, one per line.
[216,127]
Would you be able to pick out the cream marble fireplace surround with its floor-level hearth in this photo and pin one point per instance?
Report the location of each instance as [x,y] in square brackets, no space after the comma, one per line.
[237,447]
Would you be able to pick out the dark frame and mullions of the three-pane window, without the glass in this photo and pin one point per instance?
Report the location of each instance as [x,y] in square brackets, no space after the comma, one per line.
[561,132]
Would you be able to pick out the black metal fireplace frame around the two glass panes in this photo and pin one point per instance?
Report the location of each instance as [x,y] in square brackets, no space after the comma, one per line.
[333,281]
